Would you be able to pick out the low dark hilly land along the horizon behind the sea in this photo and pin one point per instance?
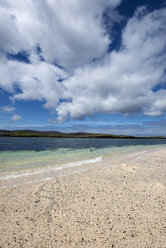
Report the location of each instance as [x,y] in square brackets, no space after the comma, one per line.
[56,134]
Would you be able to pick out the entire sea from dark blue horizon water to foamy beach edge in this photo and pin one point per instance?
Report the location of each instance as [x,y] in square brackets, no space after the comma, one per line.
[23,160]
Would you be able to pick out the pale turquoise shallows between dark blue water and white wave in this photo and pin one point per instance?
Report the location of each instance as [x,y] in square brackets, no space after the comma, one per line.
[26,159]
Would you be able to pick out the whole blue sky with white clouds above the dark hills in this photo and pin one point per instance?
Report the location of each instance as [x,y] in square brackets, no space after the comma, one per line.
[83,65]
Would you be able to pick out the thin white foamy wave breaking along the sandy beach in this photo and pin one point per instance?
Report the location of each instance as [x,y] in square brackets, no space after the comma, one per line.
[48,169]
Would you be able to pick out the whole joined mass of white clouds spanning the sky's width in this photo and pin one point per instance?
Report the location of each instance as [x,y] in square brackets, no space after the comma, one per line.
[72,34]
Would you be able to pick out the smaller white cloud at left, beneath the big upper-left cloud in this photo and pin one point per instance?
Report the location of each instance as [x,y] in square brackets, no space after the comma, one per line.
[36,81]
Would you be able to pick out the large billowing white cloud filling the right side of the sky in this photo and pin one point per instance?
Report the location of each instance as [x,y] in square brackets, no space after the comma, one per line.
[125,80]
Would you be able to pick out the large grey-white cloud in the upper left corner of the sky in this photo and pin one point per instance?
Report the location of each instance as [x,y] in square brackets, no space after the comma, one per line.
[69,32]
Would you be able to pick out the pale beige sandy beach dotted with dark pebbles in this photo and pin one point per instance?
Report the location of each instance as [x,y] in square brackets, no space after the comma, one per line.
[122,205]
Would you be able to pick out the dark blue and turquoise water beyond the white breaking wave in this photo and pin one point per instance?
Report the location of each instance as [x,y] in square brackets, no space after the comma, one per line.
[19,154]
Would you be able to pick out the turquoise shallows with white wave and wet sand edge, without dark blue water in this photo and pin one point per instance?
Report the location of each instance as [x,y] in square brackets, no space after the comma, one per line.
[23,167]
